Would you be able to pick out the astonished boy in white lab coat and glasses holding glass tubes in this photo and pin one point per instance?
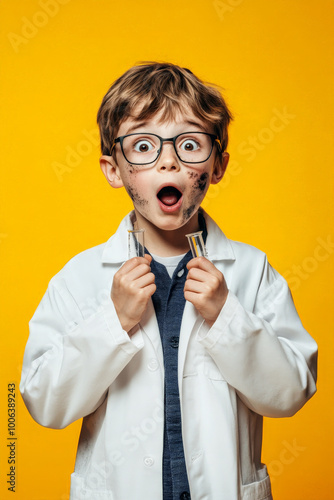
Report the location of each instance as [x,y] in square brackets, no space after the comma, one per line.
[175,369]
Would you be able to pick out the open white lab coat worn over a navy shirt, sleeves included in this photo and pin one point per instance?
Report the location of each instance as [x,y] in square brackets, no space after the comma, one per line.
[256,360]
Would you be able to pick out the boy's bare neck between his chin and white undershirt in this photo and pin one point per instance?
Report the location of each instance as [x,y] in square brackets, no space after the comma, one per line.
[167,243]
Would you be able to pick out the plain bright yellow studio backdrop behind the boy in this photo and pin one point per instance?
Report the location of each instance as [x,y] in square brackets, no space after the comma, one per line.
[274,61]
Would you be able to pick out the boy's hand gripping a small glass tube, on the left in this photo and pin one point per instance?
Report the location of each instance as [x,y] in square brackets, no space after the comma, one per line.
[132,288]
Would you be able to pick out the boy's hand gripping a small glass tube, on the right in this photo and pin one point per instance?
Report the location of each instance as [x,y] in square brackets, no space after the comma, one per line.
[205,288]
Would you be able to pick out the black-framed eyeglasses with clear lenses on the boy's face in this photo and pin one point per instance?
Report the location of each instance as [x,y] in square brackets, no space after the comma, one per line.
[143,148]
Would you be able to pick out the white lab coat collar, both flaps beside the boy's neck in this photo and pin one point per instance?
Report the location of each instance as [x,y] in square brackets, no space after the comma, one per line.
[217,245]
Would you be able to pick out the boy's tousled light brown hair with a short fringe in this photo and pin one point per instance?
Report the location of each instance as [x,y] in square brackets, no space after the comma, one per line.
[145,89]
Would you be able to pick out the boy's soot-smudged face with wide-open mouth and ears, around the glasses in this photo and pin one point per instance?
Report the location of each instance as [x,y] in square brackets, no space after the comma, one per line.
[168,192]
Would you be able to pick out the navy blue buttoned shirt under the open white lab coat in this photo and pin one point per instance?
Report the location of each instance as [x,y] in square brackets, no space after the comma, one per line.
[169,304]
